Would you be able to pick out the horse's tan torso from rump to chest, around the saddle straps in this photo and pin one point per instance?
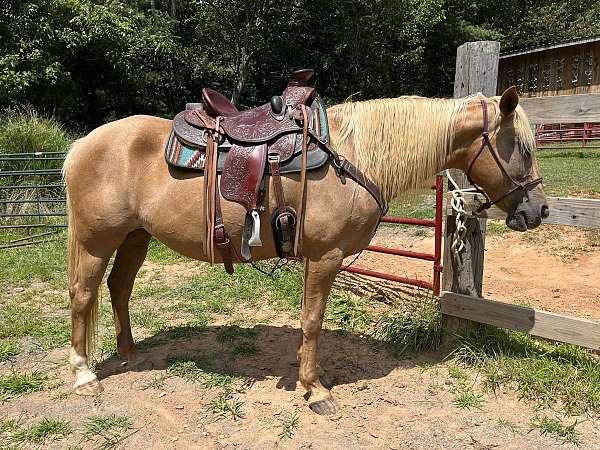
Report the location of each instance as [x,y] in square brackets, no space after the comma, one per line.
[119,181]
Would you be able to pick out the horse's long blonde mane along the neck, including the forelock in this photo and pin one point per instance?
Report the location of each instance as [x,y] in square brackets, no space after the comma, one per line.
[401,142]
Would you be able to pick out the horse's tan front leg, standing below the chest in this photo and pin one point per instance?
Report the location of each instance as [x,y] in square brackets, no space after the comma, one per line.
[318,279]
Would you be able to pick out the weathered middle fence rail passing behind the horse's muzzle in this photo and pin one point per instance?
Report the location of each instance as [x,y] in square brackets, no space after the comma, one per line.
[576,212]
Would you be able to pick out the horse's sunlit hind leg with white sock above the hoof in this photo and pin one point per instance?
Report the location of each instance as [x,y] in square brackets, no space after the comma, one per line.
[86,271]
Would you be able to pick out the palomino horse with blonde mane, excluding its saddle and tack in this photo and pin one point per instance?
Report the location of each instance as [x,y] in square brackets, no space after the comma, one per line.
[121,192]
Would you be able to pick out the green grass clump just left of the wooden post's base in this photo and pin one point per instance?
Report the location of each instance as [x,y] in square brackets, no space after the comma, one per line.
[405,335]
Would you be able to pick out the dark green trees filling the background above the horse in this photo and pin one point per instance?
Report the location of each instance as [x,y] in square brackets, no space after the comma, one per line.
[96,61]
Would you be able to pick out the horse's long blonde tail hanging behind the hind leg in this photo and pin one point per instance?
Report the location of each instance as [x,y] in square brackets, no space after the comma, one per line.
[73,256]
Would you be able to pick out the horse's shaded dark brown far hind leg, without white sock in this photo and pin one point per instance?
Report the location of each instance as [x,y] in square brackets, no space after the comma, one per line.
[130,256]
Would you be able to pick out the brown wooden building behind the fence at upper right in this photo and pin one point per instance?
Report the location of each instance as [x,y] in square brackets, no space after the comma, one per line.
[561,69]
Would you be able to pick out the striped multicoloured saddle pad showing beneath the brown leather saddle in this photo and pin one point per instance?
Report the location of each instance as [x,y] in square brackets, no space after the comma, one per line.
[184,156]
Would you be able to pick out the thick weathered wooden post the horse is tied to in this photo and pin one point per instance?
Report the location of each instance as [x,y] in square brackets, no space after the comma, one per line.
[476,71]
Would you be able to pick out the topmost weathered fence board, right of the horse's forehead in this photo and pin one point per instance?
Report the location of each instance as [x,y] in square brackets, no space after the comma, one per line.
[562,108]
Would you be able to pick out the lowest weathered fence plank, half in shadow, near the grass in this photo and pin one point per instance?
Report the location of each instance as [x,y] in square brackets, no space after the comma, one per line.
[537,323]
